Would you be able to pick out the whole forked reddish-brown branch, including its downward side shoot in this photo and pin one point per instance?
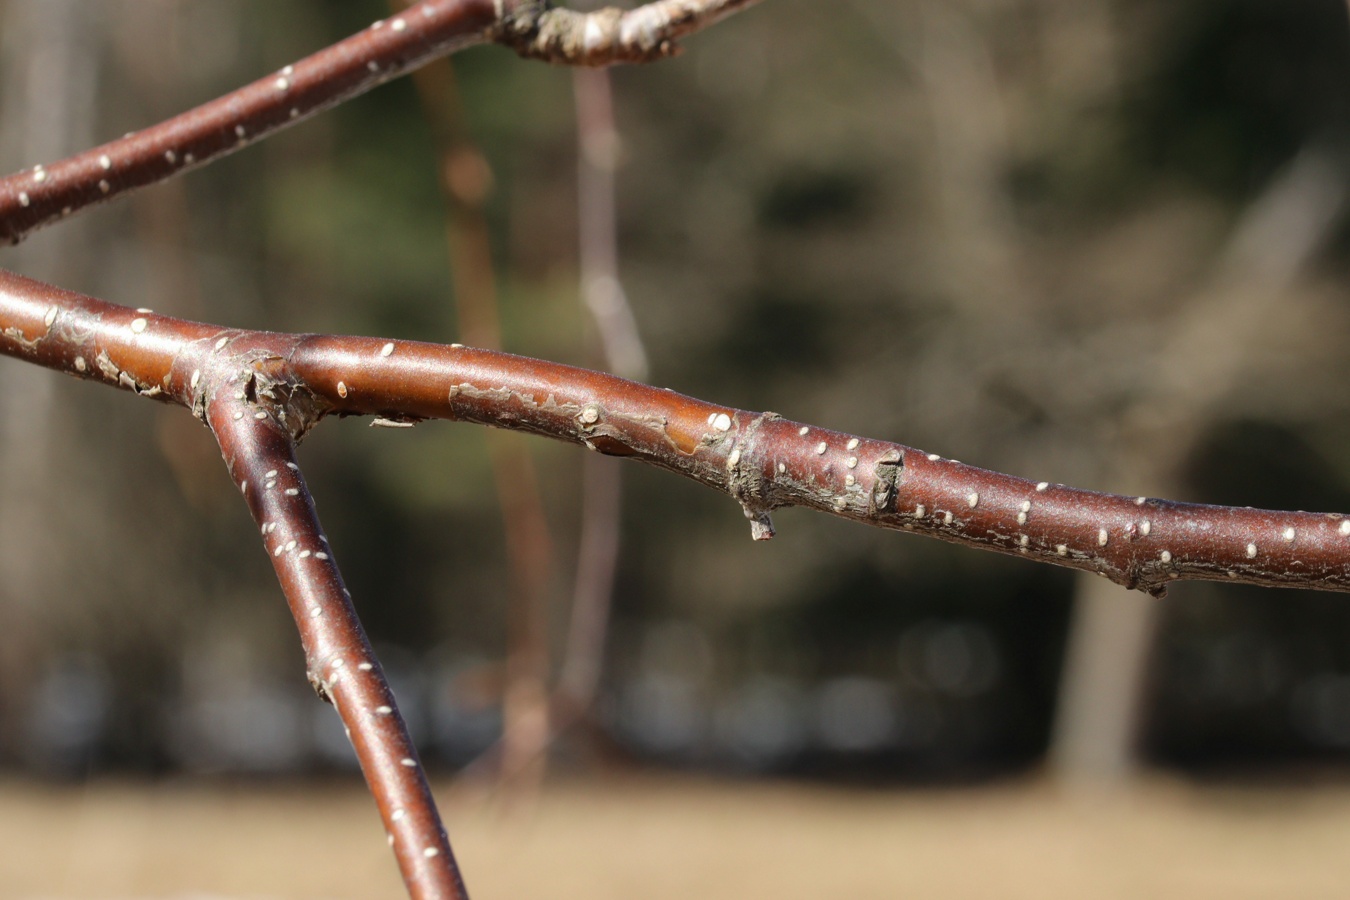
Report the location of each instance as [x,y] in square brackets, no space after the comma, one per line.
[263,391]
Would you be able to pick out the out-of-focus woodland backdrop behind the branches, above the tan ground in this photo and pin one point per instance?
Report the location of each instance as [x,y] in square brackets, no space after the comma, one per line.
[1078,241]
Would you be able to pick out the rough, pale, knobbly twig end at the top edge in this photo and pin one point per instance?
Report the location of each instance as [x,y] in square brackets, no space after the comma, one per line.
[605,37]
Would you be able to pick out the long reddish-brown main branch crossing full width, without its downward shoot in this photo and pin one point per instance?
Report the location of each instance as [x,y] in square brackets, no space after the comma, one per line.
[762,459]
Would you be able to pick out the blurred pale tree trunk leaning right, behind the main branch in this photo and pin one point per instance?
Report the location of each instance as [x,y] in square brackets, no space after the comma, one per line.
[1202,365]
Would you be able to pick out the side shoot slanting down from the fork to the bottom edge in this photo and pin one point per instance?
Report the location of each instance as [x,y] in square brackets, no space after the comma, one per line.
[341,665]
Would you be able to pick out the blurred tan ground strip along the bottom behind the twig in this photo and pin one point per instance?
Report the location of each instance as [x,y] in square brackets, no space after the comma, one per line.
[661,837]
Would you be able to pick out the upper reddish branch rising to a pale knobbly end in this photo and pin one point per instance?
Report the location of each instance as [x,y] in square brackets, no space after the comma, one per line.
[391,48]
